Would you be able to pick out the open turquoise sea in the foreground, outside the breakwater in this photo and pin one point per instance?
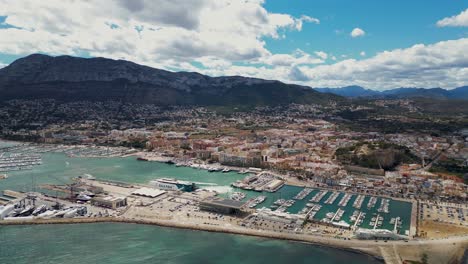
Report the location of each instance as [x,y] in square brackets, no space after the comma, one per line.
[127,243]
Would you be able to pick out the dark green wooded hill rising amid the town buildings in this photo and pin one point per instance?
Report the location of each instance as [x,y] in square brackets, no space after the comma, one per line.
[375,155]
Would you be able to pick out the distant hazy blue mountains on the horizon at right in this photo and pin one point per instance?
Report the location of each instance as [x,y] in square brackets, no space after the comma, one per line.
[434,93]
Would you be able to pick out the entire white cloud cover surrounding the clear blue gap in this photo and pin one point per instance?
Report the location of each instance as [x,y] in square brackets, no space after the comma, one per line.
[224,36]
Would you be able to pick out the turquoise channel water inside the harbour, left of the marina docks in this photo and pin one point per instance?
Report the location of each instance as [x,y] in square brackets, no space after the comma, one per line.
[58,168]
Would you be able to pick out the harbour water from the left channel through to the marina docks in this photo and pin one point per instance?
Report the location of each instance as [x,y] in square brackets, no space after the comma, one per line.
[260,189]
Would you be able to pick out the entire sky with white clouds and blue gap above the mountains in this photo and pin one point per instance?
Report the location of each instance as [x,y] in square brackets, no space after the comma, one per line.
[377,44]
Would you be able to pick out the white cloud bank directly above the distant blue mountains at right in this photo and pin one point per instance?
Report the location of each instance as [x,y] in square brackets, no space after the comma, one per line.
[443,64]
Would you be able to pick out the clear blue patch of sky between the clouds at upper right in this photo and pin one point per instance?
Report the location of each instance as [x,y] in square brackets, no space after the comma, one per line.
[388,25]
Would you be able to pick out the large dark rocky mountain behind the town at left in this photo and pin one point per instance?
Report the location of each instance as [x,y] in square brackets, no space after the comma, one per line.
[67,78]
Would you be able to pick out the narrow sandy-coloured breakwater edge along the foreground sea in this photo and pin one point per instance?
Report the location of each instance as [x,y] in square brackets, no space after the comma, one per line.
[371,251]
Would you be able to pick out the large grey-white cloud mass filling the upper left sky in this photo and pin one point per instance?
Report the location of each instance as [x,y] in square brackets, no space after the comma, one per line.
[170,33]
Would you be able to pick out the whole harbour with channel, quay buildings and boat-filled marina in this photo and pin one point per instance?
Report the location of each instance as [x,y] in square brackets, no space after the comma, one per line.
[285,210]
